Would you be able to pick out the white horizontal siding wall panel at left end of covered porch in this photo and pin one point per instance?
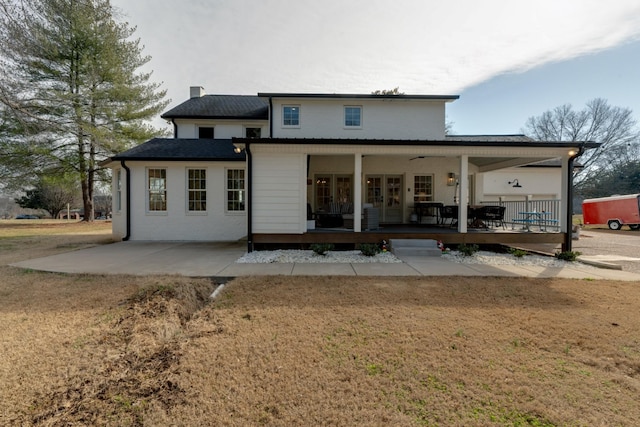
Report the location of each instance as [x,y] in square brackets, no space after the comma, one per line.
[278,197]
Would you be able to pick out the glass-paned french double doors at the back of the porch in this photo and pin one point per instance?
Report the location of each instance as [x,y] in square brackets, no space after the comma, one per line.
[385,193]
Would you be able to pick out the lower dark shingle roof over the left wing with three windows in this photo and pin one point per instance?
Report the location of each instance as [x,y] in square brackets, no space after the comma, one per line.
[175,149]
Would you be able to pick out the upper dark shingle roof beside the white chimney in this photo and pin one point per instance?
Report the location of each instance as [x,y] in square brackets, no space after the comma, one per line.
[221,107]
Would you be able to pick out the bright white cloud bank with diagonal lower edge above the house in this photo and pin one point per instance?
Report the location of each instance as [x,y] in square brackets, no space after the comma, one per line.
[243,46]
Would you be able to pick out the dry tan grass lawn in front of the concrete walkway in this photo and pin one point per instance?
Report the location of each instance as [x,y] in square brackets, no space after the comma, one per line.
[119,350]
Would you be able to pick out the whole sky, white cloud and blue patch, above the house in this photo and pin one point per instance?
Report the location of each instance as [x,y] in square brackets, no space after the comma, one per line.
[508,60]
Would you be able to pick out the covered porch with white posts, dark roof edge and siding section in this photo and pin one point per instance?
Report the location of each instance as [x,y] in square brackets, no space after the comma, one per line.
[393,177]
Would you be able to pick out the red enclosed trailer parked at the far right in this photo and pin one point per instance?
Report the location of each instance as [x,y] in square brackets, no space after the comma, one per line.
[615,211]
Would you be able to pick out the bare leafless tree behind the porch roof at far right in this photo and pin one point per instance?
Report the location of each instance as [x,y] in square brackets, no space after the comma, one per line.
[613,127]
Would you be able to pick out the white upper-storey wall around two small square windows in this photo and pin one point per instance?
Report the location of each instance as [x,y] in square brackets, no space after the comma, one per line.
[381,119]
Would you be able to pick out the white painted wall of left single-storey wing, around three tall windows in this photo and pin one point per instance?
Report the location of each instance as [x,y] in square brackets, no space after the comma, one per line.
[176,223]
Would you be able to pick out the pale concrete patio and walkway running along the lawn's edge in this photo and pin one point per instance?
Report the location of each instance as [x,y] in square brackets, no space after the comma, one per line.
[218,260]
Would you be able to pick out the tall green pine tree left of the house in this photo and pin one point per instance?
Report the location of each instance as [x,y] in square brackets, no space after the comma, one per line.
[71,90]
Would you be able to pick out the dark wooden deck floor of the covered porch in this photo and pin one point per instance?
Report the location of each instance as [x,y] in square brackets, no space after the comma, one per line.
[388,232]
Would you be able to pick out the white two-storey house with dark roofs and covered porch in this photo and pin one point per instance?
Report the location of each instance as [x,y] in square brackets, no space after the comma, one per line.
[262,167]
